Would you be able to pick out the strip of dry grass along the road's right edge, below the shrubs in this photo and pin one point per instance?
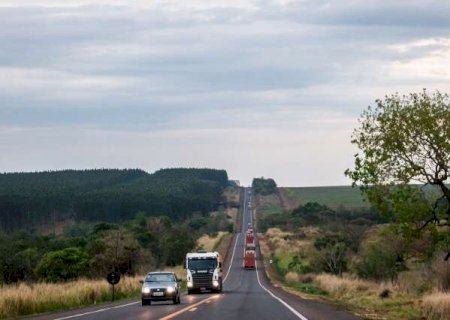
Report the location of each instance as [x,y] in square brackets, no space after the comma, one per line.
[368,299]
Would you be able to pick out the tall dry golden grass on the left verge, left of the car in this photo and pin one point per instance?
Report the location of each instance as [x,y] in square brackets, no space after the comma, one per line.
[23,299]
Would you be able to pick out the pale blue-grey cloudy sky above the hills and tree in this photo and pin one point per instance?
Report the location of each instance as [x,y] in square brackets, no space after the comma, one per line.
[269,88]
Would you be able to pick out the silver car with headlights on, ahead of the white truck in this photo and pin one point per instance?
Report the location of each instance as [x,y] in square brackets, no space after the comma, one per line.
[160,286]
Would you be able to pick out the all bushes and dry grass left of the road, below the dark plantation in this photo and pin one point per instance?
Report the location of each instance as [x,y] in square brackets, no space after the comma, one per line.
[42,273]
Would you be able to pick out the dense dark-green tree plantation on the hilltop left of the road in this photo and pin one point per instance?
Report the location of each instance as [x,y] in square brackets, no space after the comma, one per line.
[30,200]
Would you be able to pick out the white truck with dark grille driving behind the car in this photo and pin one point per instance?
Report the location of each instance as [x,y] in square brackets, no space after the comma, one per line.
[204,271]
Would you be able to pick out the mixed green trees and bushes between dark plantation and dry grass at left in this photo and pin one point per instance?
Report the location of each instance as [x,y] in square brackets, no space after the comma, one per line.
[92,250]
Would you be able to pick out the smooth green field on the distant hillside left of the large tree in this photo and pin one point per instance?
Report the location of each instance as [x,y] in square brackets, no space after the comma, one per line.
[332,197]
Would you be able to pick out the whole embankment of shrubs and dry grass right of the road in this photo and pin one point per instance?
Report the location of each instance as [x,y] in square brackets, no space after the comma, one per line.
[355,258]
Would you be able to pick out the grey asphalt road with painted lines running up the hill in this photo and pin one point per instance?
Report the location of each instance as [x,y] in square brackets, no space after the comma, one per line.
[247,294]
